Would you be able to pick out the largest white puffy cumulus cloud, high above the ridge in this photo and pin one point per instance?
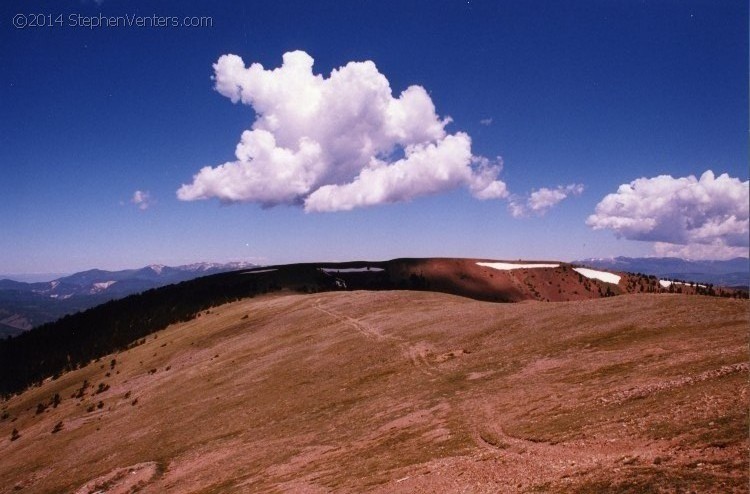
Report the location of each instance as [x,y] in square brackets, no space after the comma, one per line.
[337,143]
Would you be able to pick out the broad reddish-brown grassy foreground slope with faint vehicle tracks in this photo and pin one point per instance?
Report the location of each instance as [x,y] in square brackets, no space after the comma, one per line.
[403,392]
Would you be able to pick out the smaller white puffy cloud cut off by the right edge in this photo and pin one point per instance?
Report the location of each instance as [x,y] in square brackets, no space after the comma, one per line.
[711,212]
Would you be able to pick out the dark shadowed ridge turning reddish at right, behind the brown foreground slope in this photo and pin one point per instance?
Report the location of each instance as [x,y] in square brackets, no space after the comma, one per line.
[76,340]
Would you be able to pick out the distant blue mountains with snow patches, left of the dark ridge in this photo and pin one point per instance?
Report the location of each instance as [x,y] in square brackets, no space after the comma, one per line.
[25,305]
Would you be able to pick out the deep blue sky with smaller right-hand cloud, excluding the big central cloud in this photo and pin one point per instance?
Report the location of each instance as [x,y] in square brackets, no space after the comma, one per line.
[589,94]
